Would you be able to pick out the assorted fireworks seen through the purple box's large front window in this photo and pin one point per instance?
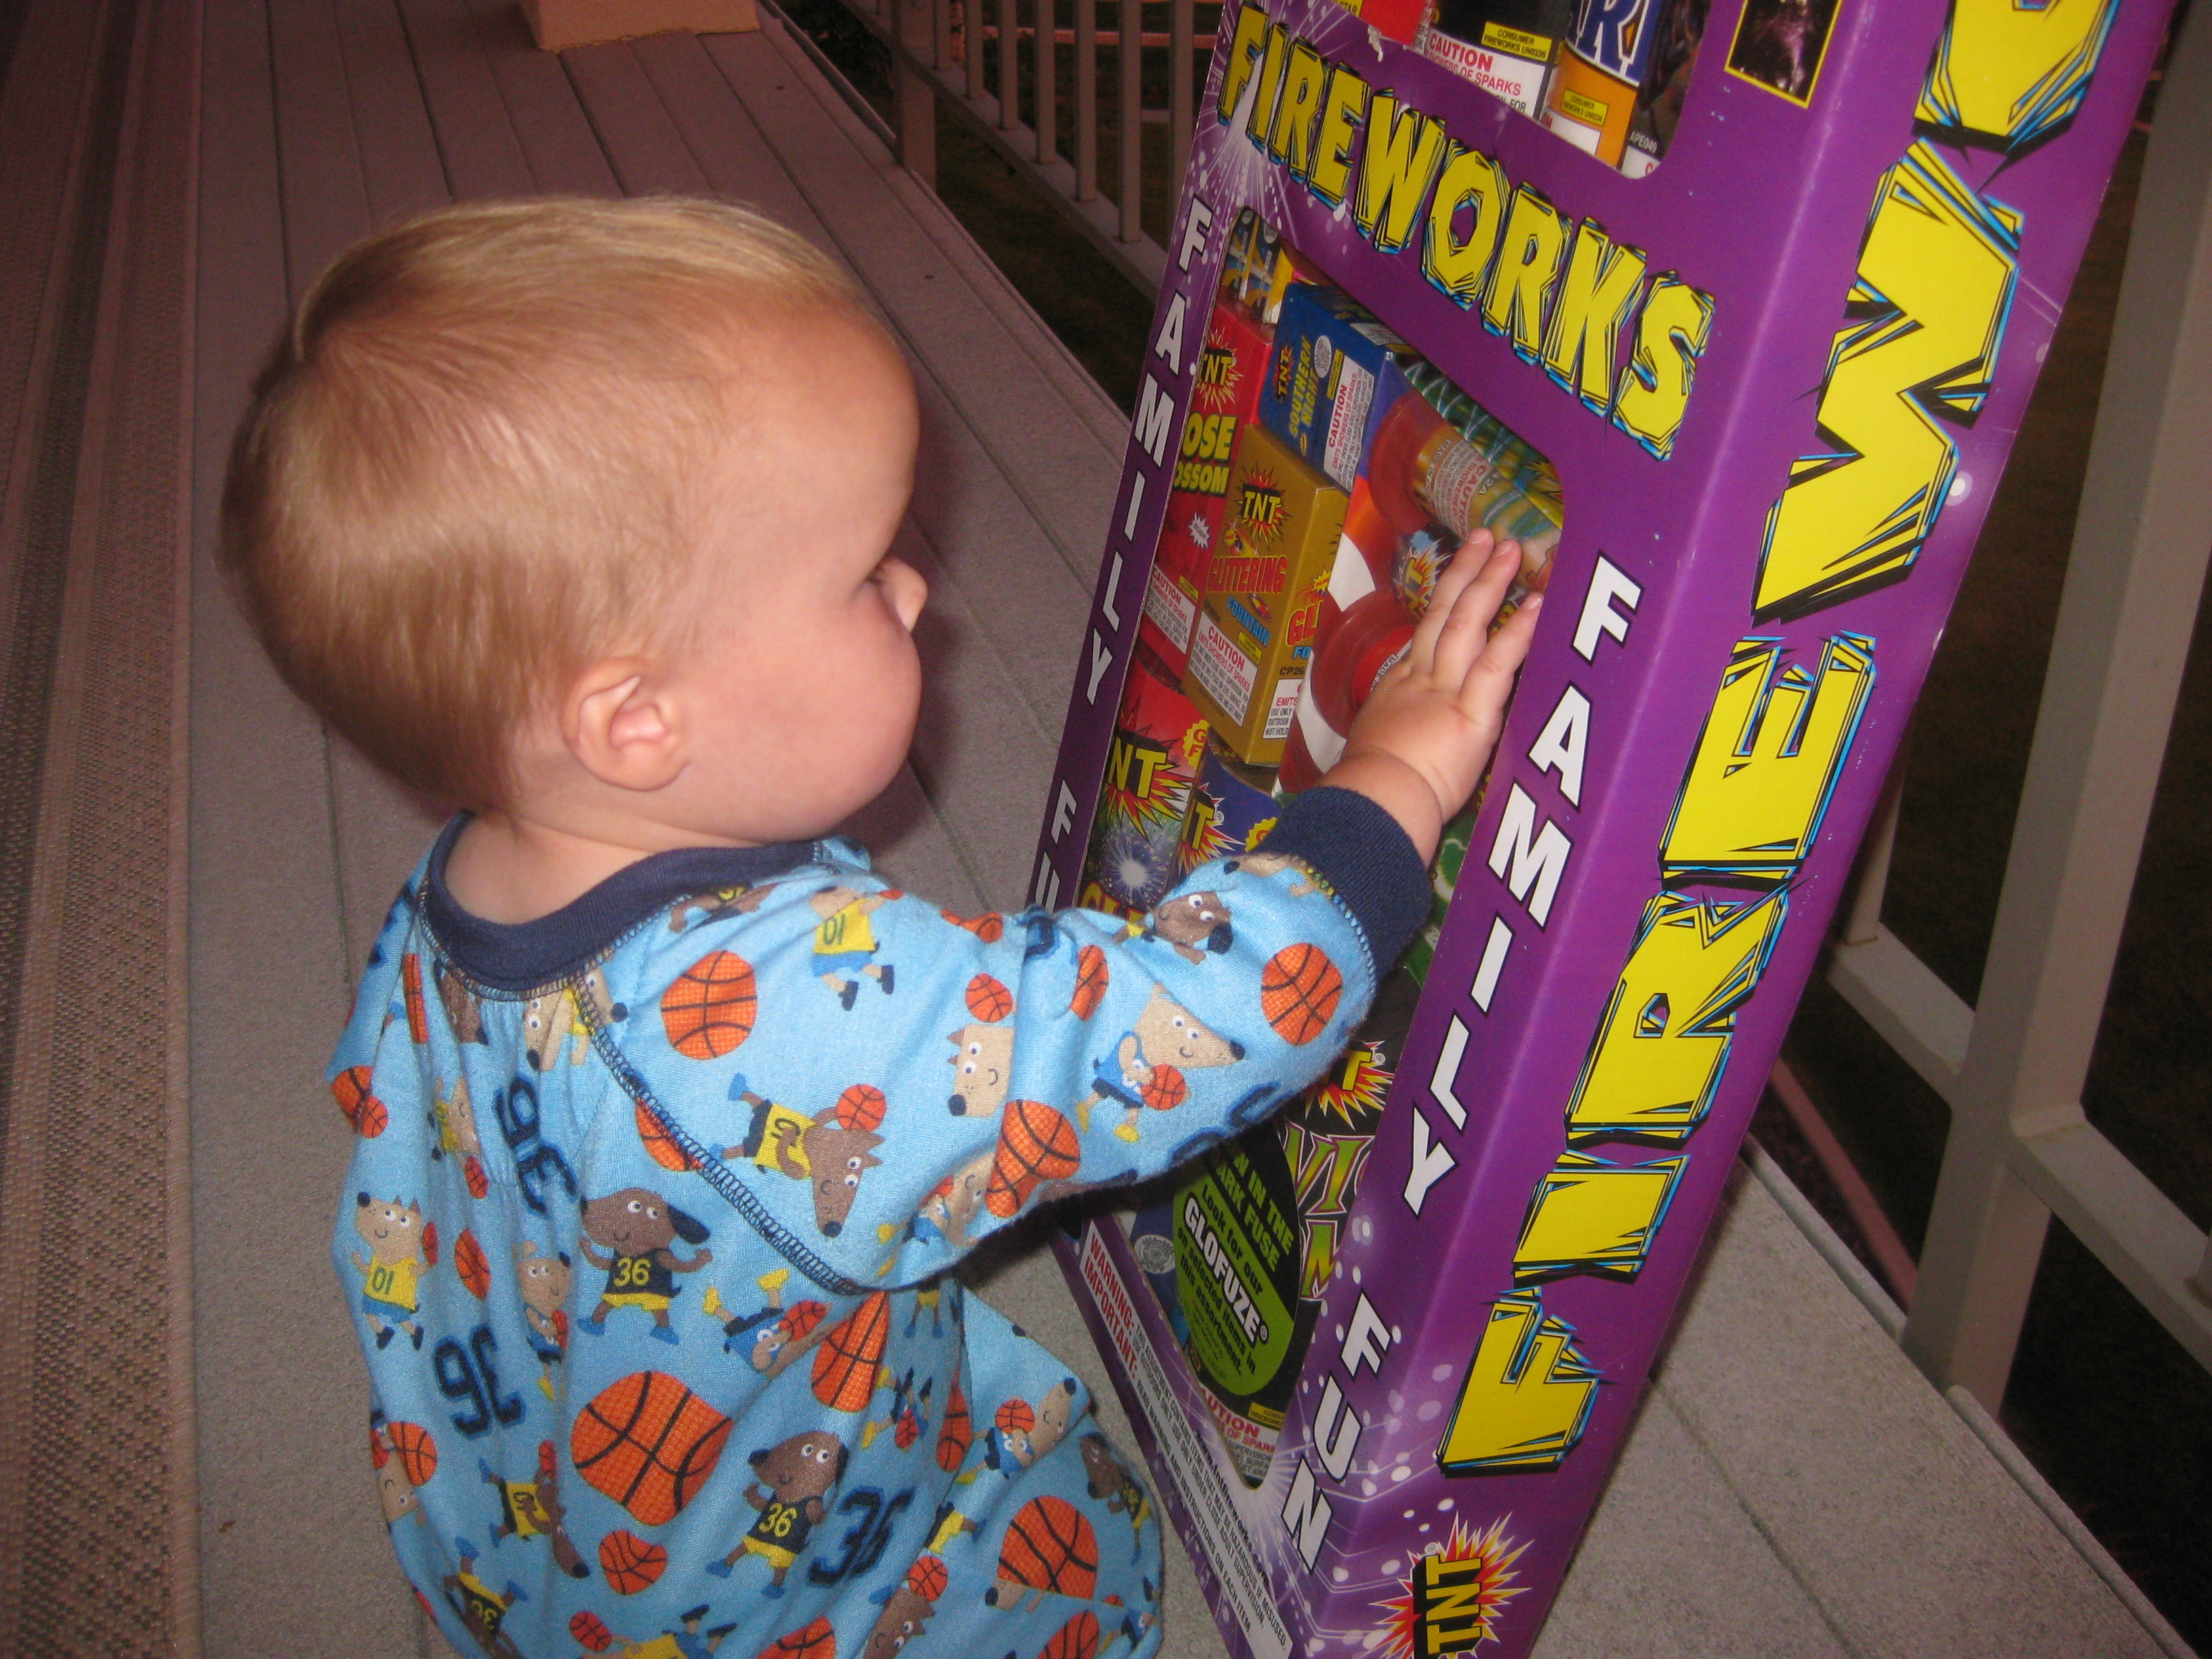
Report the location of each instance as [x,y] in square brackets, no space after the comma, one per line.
[1240,1253]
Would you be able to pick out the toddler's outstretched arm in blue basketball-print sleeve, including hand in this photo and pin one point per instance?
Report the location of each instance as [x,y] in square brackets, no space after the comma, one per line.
[890,1107]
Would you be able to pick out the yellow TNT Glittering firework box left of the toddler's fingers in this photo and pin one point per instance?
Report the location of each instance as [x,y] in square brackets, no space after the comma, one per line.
[1264,596]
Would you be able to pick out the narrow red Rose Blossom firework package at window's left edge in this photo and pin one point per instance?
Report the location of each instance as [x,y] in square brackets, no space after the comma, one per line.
[1222,406]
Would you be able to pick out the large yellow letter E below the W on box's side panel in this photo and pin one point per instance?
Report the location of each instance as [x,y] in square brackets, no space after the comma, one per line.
[1766,762]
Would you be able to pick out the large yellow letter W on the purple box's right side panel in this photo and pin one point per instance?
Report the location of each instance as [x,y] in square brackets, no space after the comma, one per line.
[1919,344]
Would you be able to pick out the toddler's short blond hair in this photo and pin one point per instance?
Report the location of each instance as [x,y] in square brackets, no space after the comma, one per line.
[474,461]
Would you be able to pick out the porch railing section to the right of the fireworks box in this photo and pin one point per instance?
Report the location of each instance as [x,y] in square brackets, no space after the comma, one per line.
[2012,1067]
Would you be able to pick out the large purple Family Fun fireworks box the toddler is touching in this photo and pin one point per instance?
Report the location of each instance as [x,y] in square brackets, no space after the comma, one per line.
[1419,1306]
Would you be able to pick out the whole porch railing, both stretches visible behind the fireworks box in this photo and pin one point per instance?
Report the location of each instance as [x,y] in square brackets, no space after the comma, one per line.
[2012,1070]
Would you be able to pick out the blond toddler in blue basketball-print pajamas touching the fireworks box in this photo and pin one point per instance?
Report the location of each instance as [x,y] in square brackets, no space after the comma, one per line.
[674,1116]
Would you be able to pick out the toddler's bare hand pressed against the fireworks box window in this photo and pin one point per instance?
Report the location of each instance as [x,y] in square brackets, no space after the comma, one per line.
[1421,742]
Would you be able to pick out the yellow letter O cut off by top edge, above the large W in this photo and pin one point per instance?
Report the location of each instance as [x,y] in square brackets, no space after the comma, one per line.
[2010,74]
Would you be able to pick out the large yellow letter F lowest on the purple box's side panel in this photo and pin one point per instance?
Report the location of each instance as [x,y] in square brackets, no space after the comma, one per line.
[1527,1395]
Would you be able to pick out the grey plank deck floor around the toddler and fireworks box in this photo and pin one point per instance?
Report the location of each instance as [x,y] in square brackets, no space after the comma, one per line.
[1793,1485]
